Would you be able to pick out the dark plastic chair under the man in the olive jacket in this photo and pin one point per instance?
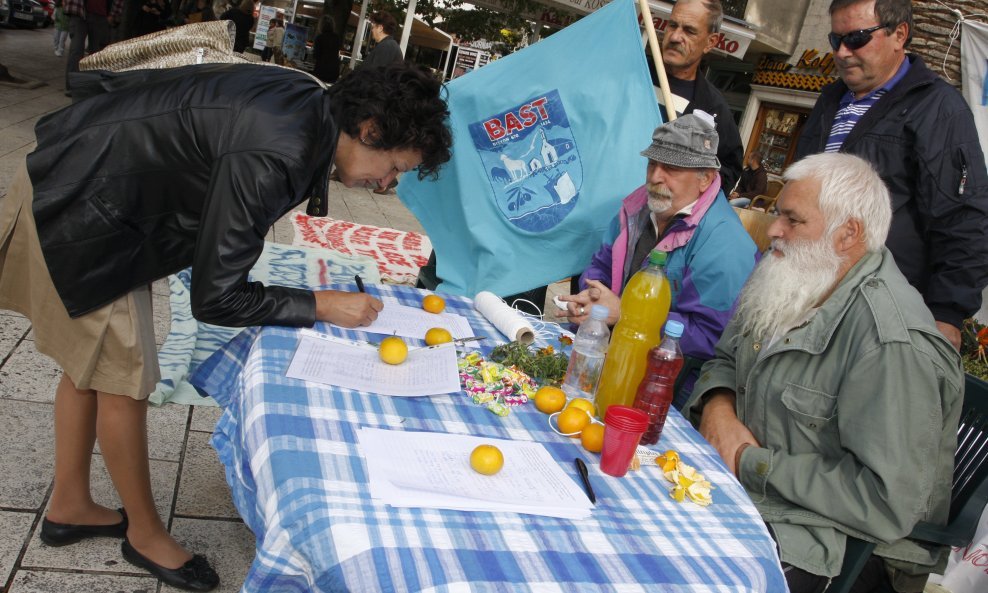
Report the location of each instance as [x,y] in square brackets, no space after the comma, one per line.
[969,490]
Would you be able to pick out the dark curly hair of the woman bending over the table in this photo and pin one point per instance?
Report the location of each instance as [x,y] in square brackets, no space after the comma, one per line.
[406,108]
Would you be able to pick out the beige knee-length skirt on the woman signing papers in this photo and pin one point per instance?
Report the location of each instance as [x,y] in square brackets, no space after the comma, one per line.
[111,349]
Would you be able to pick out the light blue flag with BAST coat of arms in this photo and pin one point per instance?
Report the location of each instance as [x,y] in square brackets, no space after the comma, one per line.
[546,145]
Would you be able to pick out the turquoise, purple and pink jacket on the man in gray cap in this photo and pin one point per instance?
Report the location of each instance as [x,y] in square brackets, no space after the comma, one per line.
[710,256]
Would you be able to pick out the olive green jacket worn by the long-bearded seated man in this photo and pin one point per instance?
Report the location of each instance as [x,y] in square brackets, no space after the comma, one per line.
[856,412]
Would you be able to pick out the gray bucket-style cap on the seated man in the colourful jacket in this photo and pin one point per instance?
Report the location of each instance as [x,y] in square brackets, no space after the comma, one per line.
[690,141]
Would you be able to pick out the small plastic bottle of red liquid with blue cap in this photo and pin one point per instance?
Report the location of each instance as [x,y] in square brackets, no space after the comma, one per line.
[655,392]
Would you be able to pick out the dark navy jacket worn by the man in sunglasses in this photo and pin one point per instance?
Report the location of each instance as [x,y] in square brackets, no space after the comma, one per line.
[922,140]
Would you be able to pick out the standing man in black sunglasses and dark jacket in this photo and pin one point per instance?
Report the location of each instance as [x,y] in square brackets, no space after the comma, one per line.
[918,132]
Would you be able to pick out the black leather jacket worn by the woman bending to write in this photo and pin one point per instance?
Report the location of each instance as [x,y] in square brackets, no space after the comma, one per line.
[161,169]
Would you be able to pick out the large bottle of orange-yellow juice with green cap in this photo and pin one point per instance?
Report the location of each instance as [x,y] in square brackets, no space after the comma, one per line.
[644,307]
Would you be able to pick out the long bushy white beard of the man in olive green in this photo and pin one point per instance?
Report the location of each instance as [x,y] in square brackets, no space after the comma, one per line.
[782,290]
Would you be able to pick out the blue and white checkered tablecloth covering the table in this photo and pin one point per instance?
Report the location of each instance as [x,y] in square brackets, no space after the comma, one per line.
[300,483]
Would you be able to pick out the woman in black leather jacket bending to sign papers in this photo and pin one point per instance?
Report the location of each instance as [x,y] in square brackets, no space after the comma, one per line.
[149,172]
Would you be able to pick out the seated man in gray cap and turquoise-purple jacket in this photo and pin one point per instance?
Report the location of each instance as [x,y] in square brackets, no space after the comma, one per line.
[682,211]
